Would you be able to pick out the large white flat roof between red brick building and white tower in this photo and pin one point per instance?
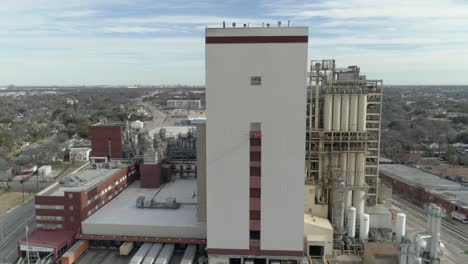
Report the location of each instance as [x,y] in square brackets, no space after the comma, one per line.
[121,217]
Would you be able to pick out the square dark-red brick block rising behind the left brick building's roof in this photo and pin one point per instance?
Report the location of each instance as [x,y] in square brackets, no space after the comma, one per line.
[100,136]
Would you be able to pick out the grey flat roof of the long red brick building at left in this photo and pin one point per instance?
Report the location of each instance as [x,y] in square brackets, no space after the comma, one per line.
[91,177]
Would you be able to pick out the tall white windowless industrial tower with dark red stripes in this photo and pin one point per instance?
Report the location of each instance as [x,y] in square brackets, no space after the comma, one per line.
[255,142]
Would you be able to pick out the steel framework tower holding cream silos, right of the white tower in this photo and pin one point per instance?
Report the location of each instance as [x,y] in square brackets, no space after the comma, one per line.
[343,140]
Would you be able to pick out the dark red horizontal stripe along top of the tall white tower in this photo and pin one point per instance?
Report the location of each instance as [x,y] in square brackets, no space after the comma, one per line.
[256,39]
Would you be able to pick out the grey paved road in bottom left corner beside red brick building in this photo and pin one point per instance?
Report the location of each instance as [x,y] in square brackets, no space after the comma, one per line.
[12,229]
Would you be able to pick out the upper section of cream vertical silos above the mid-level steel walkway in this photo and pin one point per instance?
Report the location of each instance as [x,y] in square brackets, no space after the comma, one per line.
[344,112]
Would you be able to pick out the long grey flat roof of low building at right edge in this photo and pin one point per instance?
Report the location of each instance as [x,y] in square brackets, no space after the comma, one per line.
[449,190]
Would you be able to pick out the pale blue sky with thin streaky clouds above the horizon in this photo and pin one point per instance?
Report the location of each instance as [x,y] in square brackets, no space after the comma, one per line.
[152,42]
